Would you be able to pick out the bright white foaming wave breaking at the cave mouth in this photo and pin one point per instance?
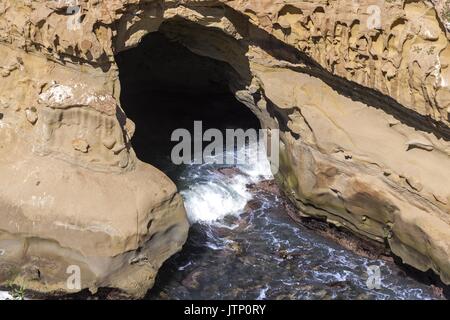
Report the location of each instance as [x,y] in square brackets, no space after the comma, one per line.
[212,195]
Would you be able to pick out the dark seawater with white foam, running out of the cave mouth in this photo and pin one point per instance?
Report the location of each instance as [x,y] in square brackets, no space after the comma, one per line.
[236,251]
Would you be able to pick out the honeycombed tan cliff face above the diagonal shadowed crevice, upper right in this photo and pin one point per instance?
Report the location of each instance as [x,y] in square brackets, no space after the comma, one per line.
[398,48]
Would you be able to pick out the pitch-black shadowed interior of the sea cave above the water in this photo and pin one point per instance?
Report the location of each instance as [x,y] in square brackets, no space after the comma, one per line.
[165,86]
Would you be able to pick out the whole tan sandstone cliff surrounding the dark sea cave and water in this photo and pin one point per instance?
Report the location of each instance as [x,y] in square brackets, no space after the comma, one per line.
[364,115]
